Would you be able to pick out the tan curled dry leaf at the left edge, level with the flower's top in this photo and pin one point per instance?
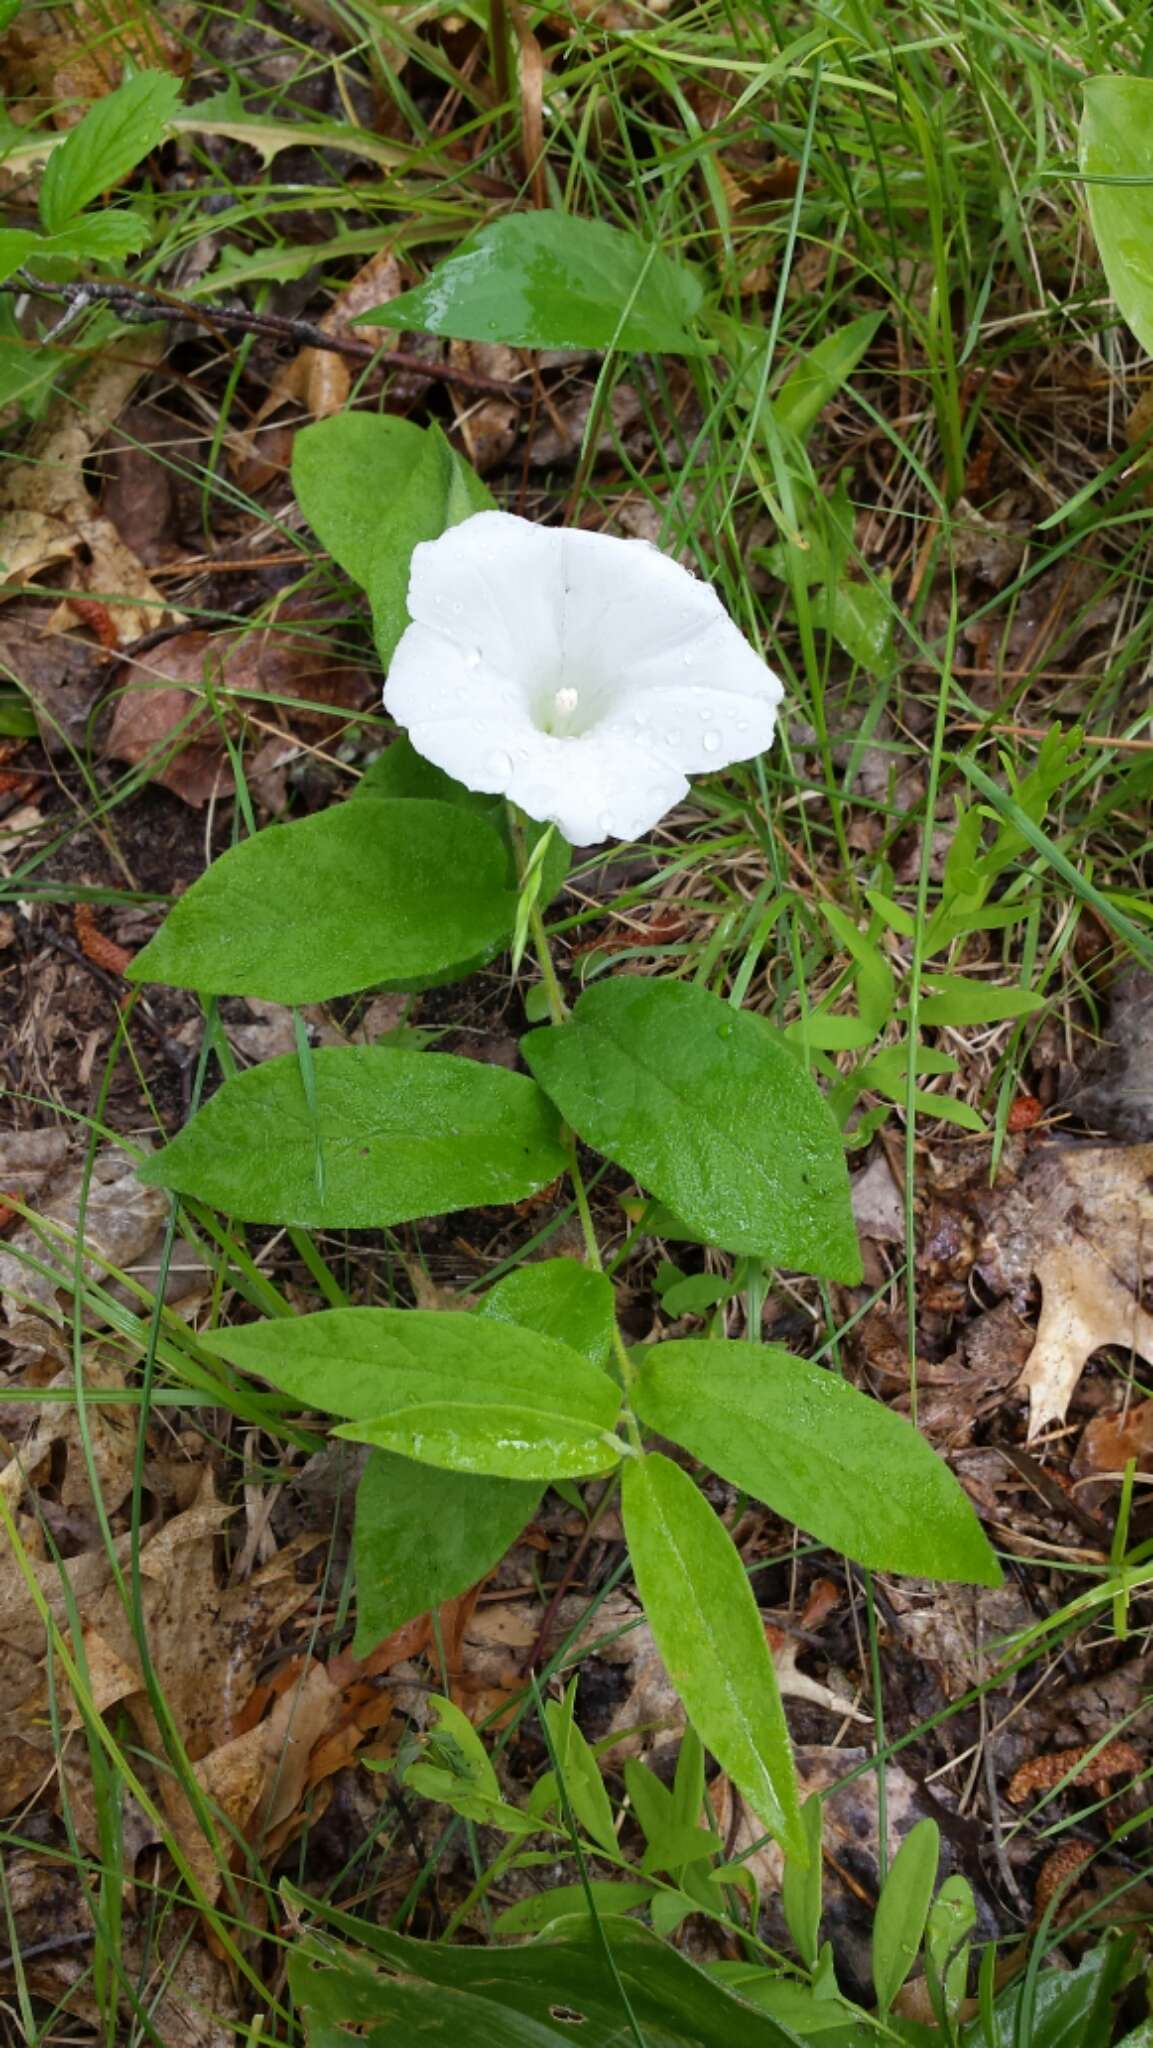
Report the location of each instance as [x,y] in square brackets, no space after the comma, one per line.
[48,515]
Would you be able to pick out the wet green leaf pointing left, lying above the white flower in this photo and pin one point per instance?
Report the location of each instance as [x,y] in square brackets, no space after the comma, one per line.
[554,282]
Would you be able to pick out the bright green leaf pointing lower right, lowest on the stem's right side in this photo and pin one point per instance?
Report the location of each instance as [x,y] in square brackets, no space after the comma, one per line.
[818,1453]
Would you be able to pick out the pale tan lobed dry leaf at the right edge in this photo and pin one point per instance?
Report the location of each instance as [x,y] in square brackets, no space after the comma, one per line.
[1080,1220]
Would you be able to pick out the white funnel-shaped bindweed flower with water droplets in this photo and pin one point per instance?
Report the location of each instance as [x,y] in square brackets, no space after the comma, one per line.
[576,675]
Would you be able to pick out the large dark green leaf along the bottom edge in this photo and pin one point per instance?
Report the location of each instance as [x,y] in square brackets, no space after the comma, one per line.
[675,2004]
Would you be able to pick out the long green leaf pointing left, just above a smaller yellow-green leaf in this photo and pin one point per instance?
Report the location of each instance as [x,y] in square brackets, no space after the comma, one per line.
[370,1363]
